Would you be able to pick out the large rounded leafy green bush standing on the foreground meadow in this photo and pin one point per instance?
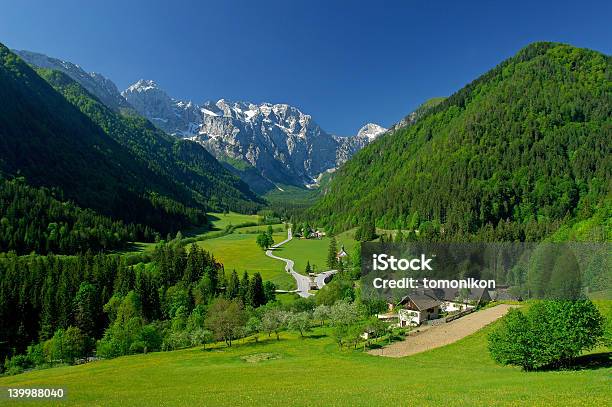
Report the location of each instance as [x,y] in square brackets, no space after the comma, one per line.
[549,334]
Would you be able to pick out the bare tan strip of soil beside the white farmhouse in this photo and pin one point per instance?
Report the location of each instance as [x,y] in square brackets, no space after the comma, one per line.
[433,337]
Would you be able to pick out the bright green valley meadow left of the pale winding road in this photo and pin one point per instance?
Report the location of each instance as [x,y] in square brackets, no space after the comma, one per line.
[239,251]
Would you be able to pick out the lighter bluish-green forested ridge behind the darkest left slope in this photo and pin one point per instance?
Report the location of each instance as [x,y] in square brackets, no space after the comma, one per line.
[198,177]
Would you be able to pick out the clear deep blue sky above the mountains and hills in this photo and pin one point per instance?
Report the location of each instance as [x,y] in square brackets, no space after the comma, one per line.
[344,62]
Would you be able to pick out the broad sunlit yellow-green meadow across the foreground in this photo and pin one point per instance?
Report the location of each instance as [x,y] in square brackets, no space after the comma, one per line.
[313,372]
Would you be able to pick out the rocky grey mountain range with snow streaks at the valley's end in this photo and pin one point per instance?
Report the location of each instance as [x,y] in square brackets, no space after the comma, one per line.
[265,144]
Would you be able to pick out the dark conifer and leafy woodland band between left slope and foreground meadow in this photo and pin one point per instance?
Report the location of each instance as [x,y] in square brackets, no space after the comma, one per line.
[111,305]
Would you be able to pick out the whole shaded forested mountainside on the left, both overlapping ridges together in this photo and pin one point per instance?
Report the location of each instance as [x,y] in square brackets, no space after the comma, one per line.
[120,167]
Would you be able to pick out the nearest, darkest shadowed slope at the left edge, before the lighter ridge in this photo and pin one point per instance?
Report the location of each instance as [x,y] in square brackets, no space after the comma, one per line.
[51,143]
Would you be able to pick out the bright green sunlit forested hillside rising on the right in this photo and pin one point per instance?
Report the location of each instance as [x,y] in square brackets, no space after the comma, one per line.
[513,155]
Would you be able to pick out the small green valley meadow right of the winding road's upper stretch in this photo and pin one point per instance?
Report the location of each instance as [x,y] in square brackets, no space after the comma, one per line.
[315,250]
